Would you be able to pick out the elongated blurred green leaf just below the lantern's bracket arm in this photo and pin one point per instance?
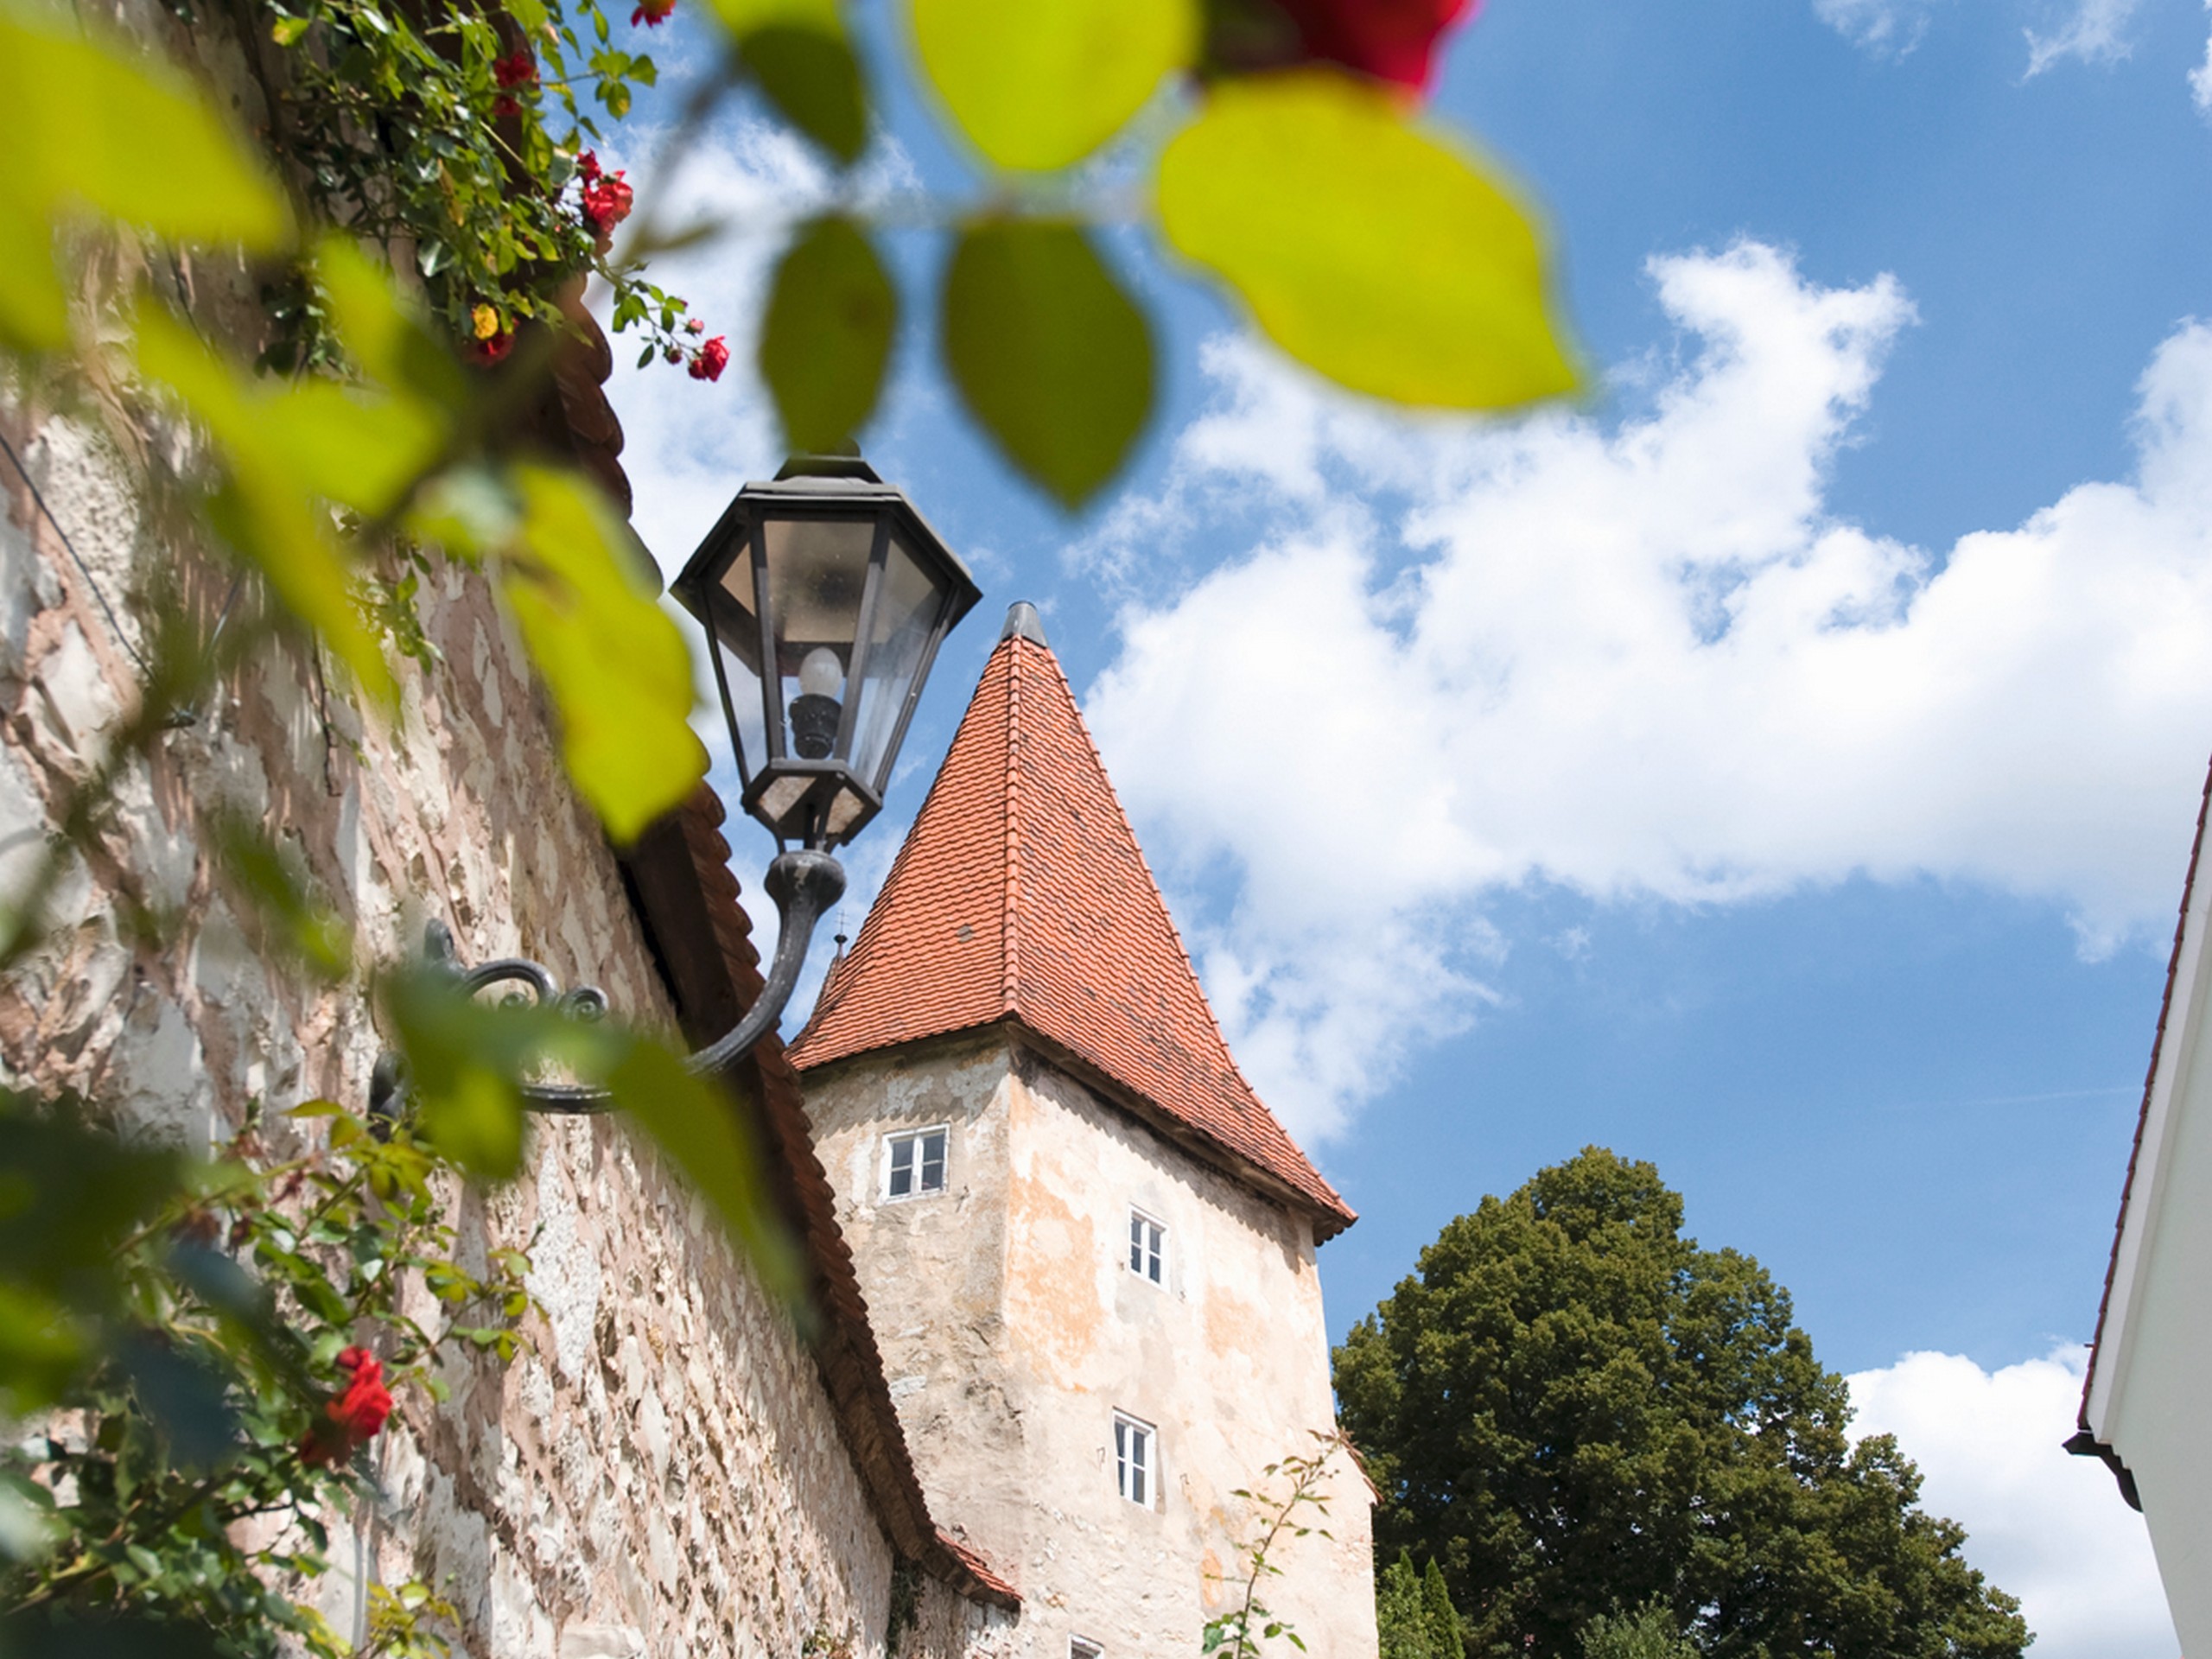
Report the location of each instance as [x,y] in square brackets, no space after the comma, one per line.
[700,1129]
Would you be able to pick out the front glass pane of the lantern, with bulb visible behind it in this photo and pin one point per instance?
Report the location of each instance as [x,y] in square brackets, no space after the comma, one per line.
[817,570]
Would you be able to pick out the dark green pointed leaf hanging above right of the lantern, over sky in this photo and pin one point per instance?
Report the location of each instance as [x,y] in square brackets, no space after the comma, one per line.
[1047,351]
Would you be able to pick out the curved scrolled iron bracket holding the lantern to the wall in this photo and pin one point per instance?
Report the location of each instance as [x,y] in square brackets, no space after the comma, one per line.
[804,884]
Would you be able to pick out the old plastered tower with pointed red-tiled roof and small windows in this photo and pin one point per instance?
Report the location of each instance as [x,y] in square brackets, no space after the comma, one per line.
[1087,1246]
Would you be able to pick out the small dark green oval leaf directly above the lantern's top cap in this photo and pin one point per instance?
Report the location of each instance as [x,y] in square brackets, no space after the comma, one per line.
[828,335]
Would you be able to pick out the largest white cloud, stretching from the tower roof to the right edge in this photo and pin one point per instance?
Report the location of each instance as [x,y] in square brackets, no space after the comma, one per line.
[1636,658]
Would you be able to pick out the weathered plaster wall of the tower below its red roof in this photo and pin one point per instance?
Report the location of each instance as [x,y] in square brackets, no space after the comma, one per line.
[1229,1359]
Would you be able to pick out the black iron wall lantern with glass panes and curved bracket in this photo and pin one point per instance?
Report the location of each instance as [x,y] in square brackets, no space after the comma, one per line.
[826,598]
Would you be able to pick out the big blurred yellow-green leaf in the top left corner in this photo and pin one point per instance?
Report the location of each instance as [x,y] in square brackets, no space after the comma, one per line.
[81,116]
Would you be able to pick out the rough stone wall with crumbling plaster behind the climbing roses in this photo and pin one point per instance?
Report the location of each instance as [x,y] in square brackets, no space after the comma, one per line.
[660,1470]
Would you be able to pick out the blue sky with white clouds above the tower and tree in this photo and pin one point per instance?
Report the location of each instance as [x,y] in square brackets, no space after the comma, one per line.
[1782,769]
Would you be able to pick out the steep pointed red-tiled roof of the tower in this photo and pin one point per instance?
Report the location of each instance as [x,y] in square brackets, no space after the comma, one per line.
[1021,895]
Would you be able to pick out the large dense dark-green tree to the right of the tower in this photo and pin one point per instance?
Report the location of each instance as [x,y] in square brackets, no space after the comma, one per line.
[1576,1410]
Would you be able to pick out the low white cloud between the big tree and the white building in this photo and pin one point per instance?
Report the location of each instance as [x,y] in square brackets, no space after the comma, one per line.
[2043,1525]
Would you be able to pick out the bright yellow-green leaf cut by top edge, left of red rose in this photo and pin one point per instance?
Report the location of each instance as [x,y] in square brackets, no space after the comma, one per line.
[1043,83]
